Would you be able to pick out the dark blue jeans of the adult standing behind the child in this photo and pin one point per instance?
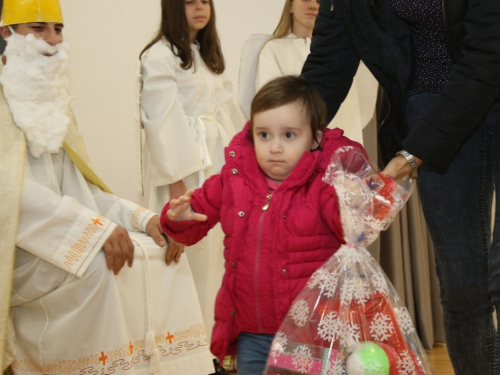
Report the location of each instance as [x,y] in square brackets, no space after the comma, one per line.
[457,208]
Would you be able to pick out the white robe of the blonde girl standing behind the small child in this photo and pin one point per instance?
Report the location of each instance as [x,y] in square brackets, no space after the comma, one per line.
[286,56]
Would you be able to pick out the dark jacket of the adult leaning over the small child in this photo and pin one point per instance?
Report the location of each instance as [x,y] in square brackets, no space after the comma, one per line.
[349,30]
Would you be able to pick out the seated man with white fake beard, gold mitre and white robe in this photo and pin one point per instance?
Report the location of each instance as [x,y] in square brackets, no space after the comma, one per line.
[67,303]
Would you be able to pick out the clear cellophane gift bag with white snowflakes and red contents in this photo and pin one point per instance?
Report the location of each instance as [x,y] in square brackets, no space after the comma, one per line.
[349,320]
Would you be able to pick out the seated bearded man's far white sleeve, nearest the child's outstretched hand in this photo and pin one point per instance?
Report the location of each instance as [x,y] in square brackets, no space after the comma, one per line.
[121,211]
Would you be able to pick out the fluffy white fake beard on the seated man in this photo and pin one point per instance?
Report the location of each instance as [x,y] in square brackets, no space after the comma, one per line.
[37,90]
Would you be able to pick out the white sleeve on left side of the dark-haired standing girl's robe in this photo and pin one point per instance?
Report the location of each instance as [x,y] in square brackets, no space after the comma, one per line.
[169,140]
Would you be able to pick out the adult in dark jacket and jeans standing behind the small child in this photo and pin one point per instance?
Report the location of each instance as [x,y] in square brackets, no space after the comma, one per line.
[439,66]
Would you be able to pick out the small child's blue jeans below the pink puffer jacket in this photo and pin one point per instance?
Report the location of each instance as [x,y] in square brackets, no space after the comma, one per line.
[252,351]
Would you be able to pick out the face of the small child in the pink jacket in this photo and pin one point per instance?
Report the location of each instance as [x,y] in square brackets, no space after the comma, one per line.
[281,136]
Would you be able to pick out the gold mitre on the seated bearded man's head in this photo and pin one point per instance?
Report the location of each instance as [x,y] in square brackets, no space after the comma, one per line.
[25,11]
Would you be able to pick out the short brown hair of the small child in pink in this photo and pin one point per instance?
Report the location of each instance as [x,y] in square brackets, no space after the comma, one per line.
[286,90]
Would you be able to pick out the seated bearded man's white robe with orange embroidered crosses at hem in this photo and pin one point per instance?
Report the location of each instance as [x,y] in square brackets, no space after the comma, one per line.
[70,313]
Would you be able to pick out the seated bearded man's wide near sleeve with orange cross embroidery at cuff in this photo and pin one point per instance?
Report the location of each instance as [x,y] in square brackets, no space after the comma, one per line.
[60,230]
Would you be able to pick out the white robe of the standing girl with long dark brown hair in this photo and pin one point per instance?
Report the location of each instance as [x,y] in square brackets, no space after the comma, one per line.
[189,117]
